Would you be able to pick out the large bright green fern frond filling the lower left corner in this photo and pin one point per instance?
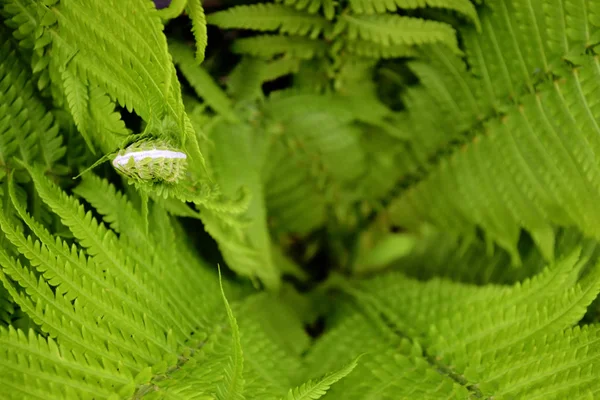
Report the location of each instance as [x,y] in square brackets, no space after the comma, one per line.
[131,335]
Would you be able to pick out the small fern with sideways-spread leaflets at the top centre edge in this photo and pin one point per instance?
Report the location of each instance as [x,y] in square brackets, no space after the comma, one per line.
[367,31]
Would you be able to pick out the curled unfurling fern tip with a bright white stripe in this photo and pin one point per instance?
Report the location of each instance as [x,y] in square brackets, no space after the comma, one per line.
[151,161]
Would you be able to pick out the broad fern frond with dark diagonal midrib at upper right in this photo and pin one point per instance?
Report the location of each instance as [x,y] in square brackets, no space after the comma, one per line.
[521,112]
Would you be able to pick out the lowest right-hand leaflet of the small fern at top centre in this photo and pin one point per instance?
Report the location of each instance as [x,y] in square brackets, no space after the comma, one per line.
[390,30]
